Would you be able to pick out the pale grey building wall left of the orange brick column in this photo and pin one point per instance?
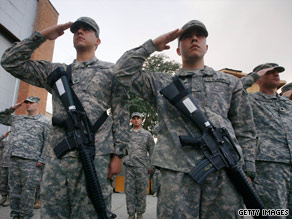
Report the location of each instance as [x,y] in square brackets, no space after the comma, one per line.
[16,23]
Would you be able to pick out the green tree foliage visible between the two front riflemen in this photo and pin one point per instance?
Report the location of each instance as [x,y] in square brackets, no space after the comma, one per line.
[155,63]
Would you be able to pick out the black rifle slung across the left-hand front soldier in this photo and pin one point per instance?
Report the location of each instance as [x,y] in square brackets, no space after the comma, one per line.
[79,136]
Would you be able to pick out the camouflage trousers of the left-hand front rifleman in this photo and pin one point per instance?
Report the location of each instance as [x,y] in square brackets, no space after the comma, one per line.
[63,190]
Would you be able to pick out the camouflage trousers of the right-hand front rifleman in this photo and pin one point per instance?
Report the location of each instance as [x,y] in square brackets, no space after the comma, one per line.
[181,197]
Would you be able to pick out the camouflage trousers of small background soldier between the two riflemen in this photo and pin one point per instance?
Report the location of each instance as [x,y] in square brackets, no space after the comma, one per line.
[136,183]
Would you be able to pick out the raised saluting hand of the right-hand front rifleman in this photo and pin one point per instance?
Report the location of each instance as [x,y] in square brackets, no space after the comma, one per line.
[162,41]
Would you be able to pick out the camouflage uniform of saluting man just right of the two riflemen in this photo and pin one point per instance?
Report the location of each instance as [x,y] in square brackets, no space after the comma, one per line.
[272,116]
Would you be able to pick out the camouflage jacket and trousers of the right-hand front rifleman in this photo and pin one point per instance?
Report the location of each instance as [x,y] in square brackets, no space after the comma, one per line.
[223,100]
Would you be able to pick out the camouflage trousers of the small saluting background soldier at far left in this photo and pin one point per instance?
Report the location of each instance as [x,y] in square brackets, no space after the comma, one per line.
[24,176]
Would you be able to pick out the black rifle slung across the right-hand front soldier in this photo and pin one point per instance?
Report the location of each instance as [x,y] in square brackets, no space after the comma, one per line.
[215,144]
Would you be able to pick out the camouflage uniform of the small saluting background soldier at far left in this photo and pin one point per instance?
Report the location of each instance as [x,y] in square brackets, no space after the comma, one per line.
[28,137]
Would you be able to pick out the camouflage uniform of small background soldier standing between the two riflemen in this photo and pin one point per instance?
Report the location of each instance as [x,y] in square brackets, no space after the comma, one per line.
[137,163]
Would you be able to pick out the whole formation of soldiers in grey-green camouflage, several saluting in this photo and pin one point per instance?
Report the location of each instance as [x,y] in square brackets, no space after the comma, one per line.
[260,124]
